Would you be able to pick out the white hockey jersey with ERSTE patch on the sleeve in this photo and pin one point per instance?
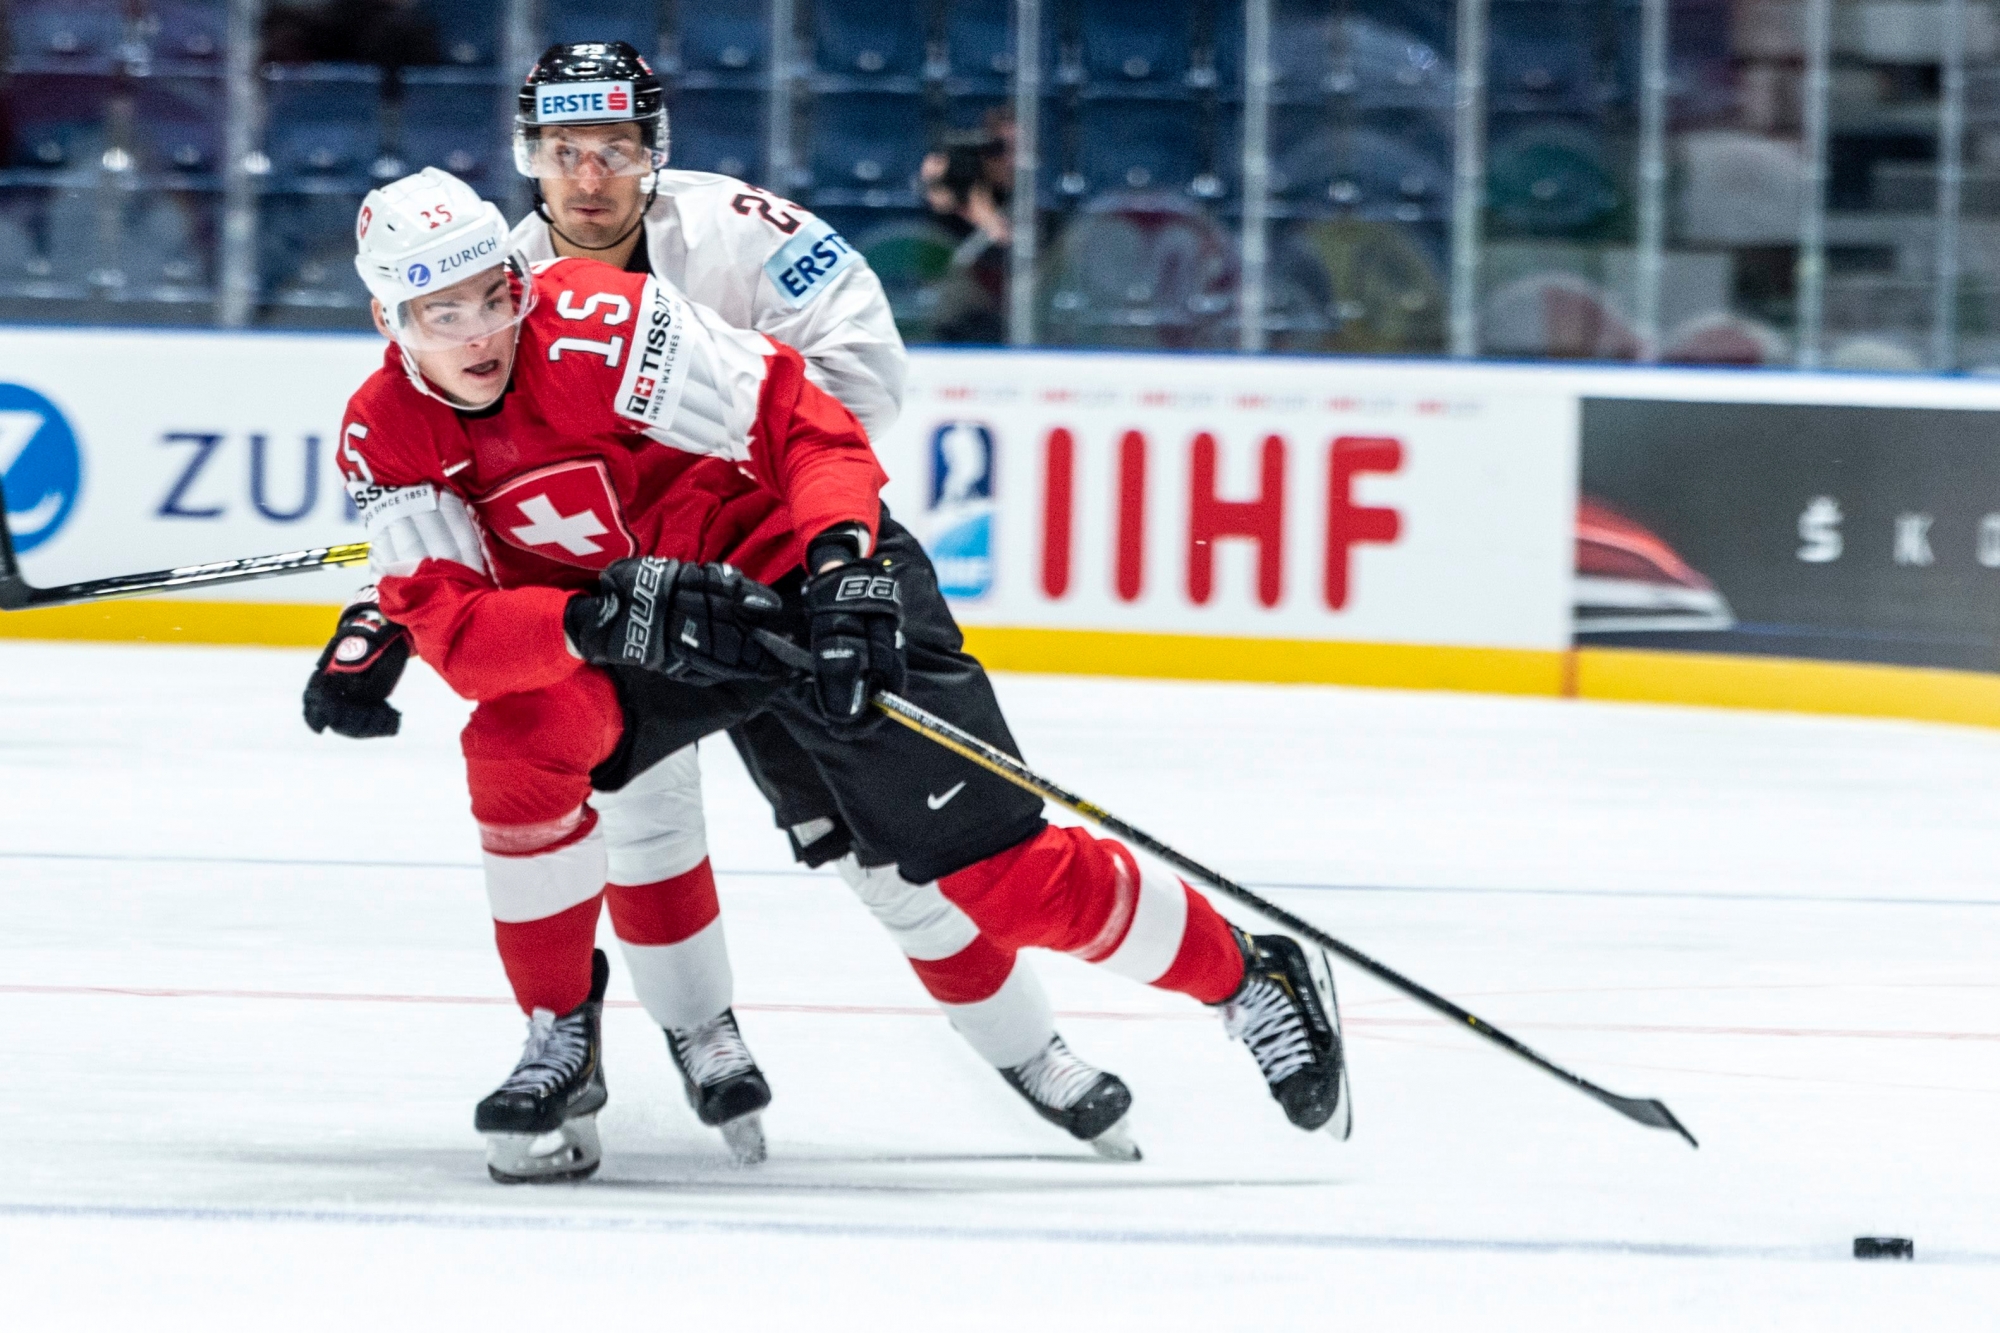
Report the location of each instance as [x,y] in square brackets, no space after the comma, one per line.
[769,265]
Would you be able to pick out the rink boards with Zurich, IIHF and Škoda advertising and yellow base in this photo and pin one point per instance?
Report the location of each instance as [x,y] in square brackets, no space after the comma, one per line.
[1797,541]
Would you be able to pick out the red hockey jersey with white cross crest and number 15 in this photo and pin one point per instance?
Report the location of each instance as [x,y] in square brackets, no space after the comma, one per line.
[637,423]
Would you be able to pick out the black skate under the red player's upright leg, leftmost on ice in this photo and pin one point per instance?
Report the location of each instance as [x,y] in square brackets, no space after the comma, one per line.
[543,1122]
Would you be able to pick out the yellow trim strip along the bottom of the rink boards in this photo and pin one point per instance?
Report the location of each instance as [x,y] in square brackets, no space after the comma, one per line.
[1711,680]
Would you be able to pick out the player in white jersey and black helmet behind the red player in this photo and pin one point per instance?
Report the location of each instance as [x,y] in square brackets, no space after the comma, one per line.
[593,135]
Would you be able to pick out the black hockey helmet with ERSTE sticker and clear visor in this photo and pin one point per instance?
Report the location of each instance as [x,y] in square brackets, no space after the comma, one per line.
[591,83]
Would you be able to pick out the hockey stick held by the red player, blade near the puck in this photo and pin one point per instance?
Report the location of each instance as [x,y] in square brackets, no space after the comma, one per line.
[1643,1110]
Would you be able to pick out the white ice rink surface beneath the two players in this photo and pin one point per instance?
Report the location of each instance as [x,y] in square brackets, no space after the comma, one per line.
[249,1000]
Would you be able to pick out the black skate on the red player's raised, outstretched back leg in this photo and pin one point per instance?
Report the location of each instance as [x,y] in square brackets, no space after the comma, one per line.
[1287,1014]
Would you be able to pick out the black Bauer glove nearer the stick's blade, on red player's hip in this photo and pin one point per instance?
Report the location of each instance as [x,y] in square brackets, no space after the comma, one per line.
[857,631]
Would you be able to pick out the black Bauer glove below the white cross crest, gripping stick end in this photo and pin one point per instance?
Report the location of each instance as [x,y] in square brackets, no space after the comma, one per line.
[685,621]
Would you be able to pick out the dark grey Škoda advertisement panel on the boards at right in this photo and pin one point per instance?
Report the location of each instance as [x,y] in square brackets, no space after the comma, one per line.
[1857,533]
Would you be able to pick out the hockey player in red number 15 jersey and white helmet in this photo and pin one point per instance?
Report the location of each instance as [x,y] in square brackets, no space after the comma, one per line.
[583,495]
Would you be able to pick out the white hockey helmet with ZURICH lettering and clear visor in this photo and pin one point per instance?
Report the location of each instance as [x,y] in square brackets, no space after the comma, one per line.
[429,233]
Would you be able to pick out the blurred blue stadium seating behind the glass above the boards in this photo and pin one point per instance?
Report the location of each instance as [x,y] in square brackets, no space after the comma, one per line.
[117,131]
